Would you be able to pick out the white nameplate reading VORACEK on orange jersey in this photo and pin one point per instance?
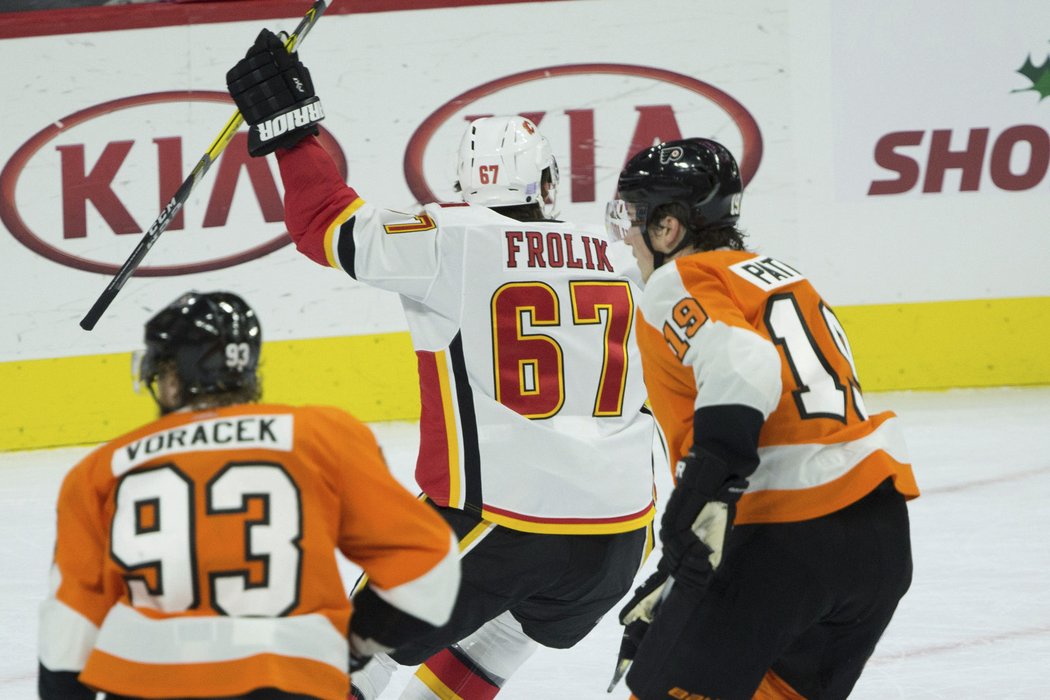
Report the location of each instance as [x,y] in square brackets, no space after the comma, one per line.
[234,433]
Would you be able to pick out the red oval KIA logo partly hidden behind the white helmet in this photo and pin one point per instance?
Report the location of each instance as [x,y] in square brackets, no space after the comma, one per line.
[608,112]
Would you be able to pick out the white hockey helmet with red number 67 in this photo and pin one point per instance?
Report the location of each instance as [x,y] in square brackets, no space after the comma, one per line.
[502,161]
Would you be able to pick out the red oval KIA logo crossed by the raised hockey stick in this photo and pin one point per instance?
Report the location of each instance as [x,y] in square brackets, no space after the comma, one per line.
[116,178]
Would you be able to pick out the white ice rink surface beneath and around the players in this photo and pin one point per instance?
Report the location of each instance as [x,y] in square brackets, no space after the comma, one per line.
[976,623]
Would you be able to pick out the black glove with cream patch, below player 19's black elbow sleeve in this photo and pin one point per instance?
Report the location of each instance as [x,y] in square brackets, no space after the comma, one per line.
[699,518]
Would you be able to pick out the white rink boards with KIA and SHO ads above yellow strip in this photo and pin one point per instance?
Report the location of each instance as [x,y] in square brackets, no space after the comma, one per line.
[863,164]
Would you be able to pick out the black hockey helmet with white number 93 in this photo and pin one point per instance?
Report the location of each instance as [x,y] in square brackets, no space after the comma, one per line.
[213,338]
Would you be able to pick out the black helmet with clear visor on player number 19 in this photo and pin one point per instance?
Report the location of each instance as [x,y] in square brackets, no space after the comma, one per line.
[700,174]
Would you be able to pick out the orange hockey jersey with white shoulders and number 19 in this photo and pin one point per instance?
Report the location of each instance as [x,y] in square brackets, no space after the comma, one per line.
[732,328]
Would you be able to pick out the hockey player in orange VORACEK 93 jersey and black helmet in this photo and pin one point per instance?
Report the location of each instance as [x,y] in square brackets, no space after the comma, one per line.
[196,557]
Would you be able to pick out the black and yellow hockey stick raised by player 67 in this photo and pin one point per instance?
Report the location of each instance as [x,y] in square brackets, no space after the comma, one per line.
[183,194]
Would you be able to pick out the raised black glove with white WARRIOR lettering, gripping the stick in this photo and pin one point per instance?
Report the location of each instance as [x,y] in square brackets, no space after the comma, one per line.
[276,95]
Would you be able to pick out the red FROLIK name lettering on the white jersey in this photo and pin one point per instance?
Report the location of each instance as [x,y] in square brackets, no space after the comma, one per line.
[551,249]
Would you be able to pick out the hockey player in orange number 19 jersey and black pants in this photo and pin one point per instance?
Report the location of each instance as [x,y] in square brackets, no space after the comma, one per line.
[786,544]
